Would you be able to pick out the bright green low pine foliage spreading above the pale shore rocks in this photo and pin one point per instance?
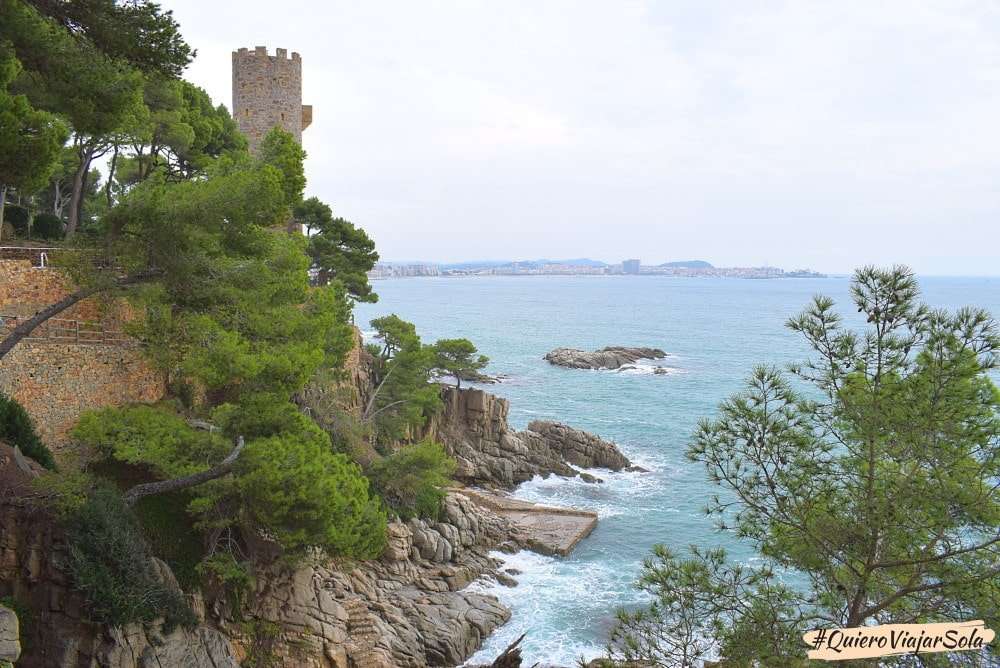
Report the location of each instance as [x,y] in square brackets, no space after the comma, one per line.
[288,481]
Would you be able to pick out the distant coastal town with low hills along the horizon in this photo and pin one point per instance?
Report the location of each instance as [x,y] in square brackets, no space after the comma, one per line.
[581,267]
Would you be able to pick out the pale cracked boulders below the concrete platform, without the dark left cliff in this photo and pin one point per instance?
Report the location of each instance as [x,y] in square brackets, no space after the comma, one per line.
[406,609]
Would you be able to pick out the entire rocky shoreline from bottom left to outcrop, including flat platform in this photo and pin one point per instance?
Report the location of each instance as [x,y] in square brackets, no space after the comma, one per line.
[409,608]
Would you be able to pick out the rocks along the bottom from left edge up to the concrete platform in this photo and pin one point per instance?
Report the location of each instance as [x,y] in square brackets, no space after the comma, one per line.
[406,609]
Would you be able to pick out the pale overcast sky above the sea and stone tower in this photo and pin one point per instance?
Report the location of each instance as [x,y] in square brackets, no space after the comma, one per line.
[820,134]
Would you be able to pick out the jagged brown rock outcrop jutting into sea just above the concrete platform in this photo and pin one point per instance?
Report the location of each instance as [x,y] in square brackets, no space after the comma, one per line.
[473,429]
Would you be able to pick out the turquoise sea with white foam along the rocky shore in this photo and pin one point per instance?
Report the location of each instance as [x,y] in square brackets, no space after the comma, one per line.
[715,330]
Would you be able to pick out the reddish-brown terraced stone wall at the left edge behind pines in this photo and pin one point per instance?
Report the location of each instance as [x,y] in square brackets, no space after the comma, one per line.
[57,381]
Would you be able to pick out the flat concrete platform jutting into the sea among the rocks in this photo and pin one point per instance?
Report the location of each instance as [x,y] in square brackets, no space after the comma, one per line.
[548,529]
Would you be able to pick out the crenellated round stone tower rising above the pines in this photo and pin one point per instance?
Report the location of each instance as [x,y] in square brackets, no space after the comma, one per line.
[267,92]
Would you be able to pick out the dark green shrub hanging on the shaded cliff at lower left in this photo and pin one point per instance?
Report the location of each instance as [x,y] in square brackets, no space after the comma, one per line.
[110,564]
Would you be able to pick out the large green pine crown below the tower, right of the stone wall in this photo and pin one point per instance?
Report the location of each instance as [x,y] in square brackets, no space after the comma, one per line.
[234,310]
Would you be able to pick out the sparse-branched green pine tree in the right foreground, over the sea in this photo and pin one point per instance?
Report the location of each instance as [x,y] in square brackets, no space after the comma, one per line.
[876,484]
